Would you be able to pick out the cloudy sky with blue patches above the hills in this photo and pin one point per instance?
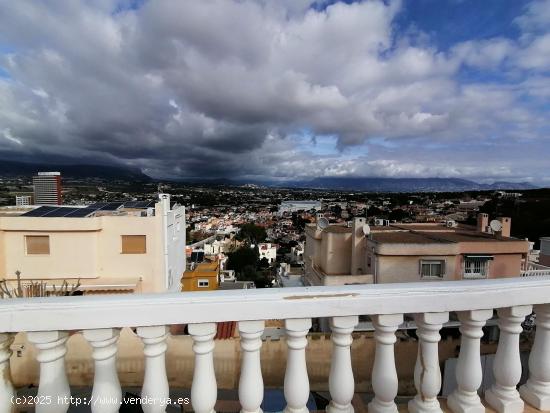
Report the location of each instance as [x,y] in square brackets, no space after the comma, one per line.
[280,89]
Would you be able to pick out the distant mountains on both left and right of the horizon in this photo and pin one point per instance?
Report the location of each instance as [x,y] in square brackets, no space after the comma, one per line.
[367,184]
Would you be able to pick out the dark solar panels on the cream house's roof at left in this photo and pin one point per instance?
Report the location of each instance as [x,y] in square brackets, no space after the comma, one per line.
[72,212]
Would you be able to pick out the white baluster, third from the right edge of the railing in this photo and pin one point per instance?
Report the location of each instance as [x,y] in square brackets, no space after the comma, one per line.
[468,370]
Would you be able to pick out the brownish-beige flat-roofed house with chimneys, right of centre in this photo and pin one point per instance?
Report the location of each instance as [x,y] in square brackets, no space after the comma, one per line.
[341,254]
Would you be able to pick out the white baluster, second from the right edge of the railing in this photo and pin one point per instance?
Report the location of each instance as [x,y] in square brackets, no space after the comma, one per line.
[503,395]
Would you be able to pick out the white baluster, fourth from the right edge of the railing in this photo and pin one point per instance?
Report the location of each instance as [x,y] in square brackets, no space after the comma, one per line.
[427,373]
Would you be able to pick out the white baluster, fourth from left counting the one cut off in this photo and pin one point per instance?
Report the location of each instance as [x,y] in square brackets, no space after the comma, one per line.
[155,383]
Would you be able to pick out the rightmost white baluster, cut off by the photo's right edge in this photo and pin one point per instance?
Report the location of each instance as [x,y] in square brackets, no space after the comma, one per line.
[536,391]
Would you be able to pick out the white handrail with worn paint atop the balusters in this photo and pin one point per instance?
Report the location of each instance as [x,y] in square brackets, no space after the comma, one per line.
[91,312]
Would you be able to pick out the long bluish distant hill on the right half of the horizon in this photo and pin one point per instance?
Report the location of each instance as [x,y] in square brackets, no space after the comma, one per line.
[403,184]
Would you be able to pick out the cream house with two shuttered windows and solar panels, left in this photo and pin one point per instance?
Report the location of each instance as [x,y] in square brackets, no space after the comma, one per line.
[126,249]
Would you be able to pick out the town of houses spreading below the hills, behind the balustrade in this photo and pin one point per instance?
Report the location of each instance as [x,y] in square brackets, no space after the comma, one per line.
[155,237]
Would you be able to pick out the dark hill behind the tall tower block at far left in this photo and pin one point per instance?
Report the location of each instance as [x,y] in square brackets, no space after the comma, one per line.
[14,168]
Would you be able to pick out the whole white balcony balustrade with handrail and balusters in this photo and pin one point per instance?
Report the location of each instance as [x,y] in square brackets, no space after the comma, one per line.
[47,322]
